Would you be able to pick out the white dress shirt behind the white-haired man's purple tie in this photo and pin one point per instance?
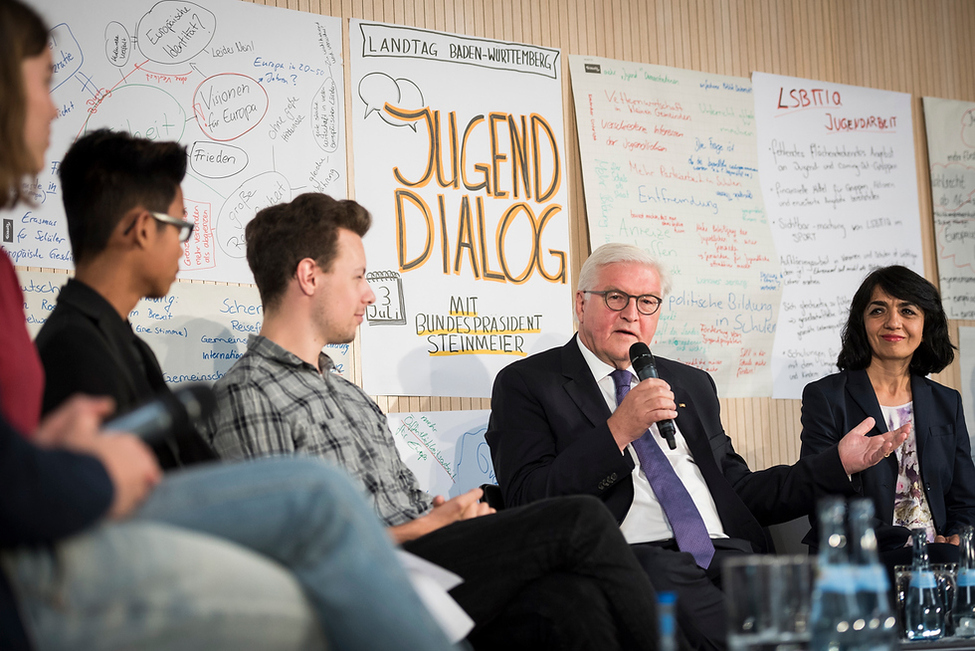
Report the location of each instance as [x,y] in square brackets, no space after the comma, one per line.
[646,521]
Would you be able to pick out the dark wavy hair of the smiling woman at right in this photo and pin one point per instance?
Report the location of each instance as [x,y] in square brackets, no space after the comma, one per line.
[935,351]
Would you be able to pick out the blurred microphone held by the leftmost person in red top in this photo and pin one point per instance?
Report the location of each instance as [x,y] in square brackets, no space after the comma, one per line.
[168,415]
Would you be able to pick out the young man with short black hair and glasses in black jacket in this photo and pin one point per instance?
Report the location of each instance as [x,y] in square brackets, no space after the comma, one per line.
[125,215]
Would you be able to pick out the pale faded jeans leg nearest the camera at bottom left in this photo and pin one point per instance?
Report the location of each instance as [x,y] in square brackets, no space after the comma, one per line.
[143,585]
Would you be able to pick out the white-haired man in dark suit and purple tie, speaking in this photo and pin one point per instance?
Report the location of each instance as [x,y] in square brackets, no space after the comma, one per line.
[577,420]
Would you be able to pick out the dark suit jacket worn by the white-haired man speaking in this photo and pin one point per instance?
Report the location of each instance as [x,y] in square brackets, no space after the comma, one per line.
[549,436]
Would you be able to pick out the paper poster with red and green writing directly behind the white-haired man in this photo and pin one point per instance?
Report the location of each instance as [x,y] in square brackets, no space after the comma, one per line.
[669,165]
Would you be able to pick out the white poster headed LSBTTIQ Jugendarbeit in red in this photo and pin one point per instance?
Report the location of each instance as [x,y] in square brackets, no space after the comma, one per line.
[838,175]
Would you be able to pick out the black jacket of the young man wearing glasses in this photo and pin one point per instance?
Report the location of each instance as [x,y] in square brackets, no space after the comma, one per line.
[86,347]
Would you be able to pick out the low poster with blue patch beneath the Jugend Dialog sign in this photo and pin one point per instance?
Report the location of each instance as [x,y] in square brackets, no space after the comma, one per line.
[445,449]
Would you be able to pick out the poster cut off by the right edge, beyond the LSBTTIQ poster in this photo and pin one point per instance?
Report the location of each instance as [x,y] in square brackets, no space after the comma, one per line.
[950,127]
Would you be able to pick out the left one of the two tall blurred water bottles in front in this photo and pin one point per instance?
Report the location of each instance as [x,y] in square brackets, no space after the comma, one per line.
[834,600]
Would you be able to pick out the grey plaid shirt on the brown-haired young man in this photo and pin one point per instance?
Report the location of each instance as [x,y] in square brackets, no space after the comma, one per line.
[272,402]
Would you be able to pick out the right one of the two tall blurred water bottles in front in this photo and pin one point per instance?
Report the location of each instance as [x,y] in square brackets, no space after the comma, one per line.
[877,630]
